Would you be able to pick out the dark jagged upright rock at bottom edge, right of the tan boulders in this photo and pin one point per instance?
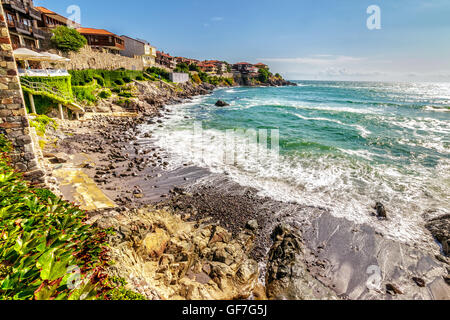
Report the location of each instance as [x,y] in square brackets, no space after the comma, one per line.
[287,275]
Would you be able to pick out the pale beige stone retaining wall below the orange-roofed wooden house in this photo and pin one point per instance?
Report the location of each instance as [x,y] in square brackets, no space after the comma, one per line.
[90,59]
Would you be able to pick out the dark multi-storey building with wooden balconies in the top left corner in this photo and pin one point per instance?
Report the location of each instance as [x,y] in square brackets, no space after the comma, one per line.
[22,19]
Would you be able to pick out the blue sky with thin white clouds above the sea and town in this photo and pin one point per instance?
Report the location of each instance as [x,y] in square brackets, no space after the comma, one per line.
[300,39]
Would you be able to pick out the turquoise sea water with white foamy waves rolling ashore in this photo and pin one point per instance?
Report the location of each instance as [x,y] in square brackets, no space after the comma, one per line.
[342,145]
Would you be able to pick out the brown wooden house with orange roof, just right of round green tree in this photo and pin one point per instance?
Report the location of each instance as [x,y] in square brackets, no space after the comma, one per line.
[101,39]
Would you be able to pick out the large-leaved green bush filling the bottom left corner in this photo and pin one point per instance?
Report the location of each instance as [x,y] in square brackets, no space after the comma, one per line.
[43,241]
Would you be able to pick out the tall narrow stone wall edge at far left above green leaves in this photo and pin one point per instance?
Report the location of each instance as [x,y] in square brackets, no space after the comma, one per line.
[13,118]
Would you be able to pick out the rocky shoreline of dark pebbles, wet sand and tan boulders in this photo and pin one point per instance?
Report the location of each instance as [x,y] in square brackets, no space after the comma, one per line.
[188,234]
